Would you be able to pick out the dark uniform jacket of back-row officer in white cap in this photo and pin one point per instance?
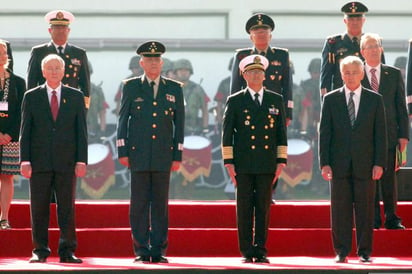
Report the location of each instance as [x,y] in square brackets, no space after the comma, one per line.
[76,67]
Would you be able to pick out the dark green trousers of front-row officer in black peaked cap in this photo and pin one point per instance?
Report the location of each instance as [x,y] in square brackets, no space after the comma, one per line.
[149,216]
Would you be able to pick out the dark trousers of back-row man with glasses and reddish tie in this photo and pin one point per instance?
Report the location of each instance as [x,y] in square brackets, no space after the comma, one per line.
[387,187]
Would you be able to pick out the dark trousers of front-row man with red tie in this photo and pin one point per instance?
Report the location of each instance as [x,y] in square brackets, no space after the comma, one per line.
[42,185]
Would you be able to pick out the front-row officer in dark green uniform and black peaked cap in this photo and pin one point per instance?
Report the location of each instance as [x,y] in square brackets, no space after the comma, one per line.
[150,142]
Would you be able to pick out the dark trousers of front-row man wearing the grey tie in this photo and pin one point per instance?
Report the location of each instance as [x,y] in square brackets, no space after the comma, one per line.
[349,195]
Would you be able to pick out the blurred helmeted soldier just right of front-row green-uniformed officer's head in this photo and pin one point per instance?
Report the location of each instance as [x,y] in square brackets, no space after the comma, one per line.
[196,99]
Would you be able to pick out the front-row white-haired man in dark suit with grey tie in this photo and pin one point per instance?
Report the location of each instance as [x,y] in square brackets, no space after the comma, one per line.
[352,155]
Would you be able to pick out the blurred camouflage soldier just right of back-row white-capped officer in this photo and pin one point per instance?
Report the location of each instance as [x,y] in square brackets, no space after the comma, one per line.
[96,117]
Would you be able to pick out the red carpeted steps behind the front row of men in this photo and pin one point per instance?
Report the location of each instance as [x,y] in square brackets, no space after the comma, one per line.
[202,229]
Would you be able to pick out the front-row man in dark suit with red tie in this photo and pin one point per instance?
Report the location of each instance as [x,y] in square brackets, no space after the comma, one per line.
[53,151]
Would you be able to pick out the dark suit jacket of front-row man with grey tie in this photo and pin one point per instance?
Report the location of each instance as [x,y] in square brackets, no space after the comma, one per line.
[352,151]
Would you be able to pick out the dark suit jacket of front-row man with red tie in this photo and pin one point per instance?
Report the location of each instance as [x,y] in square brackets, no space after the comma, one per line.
[53,145]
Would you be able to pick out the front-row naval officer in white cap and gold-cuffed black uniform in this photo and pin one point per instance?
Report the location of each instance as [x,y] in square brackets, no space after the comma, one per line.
[254,150]
